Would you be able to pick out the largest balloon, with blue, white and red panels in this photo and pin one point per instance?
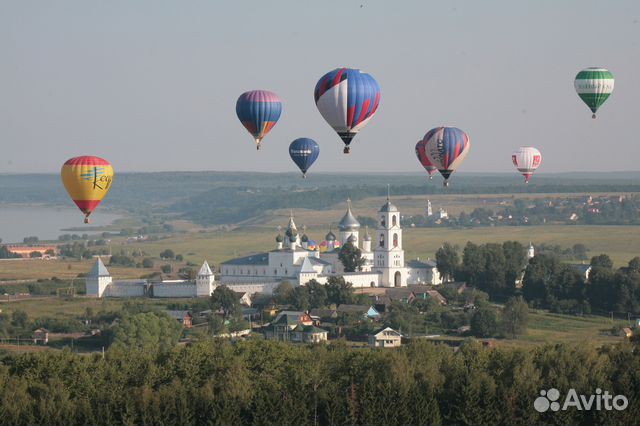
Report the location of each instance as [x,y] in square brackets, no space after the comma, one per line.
[347,99]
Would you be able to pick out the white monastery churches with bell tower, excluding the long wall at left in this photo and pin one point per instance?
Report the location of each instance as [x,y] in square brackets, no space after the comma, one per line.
[299,259]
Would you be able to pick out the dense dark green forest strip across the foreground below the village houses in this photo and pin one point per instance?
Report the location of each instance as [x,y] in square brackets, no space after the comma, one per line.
[272,383]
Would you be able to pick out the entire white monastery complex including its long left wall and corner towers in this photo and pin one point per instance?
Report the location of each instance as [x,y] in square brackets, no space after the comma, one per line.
[295,258]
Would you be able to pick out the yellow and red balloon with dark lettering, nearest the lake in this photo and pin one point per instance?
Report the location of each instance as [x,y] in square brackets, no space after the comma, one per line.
[87,179]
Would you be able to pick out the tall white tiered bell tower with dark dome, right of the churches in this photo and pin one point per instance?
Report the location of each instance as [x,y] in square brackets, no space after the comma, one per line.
[389,255]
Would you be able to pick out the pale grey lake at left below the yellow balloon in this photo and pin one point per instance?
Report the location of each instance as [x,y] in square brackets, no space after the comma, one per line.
[46,223]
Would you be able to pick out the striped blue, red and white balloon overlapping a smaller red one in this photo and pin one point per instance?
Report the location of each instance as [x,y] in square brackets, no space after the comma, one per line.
[446,148]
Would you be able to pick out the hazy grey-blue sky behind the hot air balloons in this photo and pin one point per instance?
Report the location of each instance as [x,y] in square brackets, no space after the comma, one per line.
[152,85]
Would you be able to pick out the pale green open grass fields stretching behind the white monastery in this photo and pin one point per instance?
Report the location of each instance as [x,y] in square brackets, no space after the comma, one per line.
[620,242]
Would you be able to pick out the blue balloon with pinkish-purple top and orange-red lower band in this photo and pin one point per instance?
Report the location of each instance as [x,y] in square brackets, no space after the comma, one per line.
[258,111]
